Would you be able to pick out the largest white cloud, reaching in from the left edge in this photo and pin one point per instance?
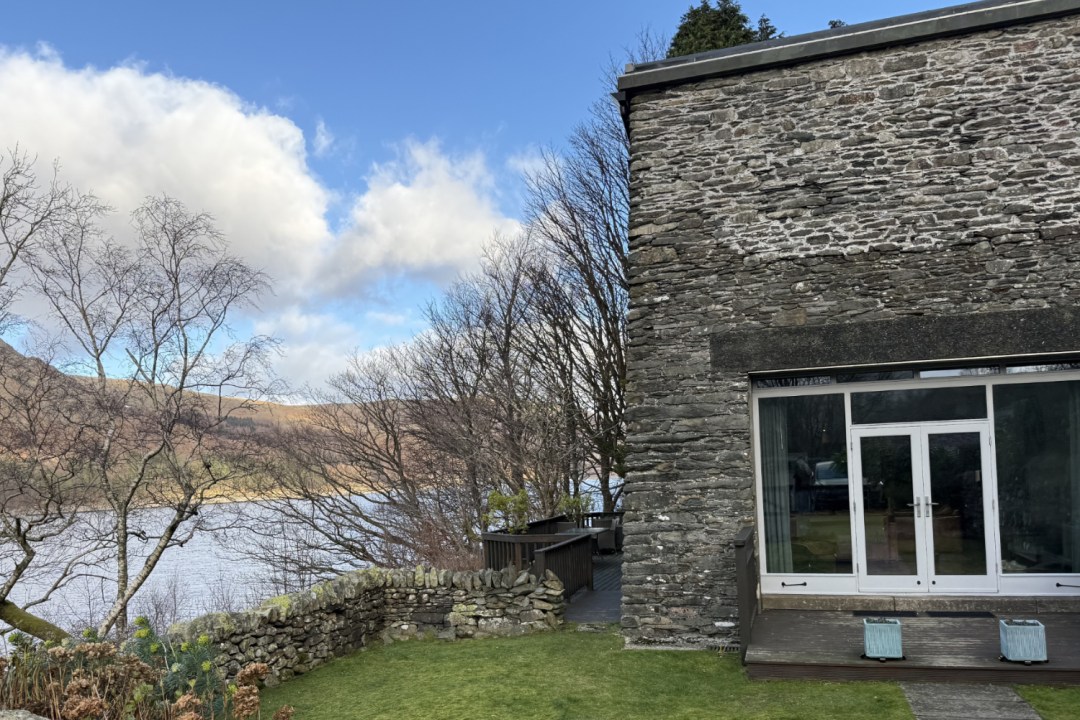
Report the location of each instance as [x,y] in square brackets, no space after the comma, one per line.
[125,134]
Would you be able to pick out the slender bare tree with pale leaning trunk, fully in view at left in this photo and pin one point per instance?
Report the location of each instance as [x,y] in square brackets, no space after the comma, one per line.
[151,329]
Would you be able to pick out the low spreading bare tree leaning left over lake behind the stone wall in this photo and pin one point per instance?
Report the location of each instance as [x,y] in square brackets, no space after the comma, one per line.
[358,486]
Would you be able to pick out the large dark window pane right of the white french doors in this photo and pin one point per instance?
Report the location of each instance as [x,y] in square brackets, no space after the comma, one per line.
[1037,429]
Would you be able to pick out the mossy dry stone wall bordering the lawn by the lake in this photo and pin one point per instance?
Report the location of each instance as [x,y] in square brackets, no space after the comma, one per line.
[296,633]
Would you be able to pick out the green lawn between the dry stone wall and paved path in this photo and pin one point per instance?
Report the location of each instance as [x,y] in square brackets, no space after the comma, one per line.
[565,675]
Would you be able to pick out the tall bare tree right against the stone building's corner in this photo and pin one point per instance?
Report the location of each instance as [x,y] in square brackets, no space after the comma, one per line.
[579,208]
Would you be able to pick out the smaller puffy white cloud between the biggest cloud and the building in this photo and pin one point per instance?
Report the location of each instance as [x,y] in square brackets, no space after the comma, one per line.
[427,214]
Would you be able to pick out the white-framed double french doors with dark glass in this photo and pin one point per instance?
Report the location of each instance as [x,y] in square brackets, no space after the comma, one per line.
[924,508]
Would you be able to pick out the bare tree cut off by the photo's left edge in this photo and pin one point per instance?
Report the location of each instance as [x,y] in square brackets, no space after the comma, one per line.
[42,451]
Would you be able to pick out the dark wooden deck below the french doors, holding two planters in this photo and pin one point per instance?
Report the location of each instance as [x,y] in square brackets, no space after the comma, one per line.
[799,644]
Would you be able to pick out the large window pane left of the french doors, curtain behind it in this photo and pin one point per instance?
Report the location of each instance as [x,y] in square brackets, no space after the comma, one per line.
[805,485]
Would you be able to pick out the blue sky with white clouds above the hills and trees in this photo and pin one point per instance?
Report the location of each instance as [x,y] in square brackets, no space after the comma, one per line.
[362,153]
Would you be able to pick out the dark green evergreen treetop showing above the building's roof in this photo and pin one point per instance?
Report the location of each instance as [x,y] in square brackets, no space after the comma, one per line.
[713,28]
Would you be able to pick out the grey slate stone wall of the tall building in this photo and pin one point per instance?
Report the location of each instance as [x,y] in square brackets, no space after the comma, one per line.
[931,180]
